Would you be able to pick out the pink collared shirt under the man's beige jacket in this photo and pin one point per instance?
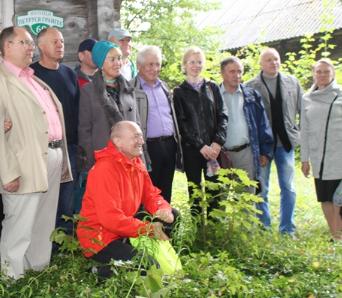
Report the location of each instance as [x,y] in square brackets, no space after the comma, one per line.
[42,96]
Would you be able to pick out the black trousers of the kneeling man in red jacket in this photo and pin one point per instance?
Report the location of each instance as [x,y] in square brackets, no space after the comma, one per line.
[121,249]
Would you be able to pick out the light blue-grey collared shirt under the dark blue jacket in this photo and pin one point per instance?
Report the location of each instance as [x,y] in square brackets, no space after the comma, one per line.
[237,131]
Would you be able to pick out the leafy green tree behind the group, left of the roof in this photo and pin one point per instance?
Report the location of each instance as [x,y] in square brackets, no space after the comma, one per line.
[170,24]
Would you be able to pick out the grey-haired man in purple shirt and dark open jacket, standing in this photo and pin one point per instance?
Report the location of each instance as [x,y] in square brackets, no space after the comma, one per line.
[158,114]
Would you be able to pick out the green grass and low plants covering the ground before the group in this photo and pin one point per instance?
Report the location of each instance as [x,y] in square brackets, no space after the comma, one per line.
[236,259]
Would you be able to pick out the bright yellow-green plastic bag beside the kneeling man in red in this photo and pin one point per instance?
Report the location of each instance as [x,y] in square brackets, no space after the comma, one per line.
[162,251]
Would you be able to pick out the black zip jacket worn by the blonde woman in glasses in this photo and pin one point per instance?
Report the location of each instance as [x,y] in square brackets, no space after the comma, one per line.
[202,116]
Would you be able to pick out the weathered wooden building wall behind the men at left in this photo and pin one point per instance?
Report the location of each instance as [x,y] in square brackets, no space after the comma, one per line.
[81,18]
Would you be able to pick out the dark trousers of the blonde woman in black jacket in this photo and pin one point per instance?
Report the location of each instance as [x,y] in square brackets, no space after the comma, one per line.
[194,165]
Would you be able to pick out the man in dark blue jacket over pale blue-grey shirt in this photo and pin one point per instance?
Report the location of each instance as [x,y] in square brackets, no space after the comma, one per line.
[249,136]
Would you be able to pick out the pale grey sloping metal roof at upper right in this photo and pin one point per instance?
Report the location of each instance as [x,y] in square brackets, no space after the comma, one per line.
[246,22]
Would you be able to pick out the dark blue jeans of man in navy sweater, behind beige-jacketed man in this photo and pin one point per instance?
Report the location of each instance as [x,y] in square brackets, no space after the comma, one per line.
[66,195]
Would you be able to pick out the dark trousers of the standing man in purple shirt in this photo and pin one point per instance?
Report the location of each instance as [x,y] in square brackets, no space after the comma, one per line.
[162,152]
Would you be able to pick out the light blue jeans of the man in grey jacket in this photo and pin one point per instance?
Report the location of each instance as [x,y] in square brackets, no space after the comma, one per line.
[285,168]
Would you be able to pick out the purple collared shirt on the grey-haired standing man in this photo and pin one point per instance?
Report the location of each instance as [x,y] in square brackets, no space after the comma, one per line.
[159,119]
